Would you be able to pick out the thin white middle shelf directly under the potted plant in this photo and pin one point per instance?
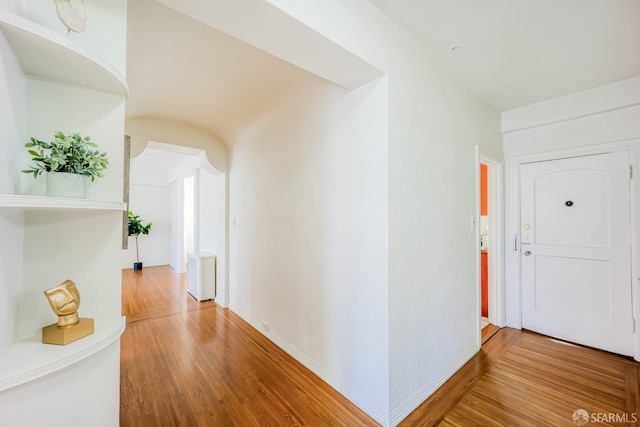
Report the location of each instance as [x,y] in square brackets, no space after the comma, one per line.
[40,202]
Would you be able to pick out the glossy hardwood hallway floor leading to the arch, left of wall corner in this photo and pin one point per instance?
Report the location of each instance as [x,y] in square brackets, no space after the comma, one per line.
[186,363]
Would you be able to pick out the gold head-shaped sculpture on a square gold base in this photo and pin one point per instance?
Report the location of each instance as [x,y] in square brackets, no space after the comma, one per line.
[65,300]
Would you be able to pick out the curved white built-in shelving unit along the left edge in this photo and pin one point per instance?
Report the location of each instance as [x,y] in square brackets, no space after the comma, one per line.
[46,237]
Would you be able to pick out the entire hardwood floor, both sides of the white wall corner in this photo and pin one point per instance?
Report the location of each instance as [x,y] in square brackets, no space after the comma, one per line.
[186,363]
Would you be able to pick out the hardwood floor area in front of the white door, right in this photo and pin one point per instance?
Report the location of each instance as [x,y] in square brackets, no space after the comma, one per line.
[520,378]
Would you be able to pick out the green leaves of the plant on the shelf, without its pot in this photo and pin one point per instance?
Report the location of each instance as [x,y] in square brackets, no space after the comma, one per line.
[68,154]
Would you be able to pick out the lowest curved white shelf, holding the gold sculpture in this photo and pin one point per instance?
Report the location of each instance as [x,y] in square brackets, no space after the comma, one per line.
[30,359]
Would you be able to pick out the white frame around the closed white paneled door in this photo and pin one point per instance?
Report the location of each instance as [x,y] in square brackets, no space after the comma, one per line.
[513,283]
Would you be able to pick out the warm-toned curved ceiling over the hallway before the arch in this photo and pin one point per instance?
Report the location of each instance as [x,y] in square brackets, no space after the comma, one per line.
[182,69]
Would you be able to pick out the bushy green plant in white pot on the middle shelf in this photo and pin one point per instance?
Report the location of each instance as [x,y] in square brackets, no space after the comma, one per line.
[67,161]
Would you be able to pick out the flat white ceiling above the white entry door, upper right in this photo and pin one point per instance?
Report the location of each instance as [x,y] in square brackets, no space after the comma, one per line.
[518,52]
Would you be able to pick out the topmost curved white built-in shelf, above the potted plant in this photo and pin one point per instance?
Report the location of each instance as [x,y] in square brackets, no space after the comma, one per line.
[46,54]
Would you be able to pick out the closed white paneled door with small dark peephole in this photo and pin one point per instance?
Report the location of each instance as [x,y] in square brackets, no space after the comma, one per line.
[575,252]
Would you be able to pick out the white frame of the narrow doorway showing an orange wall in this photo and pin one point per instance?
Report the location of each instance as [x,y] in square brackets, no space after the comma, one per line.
[495,200]
